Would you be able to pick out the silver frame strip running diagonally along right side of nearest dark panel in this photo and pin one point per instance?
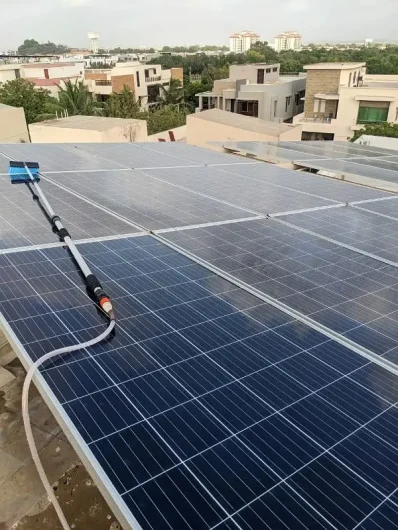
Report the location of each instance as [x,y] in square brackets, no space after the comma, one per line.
[364,352]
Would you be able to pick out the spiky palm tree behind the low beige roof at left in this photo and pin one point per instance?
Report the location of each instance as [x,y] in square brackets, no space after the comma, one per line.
[76,99]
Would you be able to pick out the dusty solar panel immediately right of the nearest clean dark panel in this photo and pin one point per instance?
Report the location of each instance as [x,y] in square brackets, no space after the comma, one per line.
[341,289]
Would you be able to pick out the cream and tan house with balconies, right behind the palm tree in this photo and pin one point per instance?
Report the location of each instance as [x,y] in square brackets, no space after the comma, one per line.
[143,80]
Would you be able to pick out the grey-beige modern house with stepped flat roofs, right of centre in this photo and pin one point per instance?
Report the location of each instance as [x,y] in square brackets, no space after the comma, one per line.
[256,90]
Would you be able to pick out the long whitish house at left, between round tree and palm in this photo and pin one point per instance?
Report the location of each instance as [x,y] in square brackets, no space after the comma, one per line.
[51,75]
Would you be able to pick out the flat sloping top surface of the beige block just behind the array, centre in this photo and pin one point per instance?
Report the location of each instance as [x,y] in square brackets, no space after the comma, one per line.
[243,122]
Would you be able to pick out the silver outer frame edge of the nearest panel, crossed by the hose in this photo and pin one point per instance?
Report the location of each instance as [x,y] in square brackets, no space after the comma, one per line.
[82,449]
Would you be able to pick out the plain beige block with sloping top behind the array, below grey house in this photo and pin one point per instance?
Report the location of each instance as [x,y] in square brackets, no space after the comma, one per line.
[219,126]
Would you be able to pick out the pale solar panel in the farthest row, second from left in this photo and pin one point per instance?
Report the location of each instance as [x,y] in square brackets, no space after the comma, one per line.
[165,154]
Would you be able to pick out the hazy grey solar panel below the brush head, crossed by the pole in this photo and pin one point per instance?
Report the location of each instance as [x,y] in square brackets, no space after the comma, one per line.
[22,223]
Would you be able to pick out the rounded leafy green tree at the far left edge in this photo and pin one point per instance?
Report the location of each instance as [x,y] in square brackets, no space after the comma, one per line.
[22,93]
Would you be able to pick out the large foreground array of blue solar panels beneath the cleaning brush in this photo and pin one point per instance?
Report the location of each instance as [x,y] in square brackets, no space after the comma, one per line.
[250,382]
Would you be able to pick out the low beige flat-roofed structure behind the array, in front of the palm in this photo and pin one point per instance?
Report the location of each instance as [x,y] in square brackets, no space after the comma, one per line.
[81,129]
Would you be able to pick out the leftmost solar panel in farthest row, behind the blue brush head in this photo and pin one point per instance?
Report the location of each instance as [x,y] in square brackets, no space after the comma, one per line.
[62,157]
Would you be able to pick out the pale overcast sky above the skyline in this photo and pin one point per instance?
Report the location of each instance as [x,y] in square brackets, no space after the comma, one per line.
[171,22]
